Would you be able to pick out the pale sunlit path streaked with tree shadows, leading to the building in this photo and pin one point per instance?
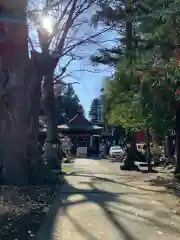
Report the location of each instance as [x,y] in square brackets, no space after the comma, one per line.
[101,202]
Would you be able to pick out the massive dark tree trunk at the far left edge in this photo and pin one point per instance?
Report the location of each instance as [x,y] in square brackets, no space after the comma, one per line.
[14,99]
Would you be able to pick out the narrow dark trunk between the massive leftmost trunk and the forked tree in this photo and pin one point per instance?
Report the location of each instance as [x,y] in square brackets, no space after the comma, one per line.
[33,152]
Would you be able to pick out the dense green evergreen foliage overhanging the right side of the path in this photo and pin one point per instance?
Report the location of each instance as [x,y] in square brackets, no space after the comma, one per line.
[142,93]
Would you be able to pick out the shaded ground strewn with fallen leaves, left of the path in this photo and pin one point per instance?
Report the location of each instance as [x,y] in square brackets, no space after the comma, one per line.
[23,210]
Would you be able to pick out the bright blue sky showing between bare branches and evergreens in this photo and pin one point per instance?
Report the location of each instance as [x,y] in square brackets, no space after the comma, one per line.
[90,78]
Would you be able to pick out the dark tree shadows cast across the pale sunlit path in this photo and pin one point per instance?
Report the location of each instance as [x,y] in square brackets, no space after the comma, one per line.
[100,198]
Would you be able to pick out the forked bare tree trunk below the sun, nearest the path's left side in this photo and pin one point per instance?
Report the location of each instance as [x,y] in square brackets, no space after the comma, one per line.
[48,80]
